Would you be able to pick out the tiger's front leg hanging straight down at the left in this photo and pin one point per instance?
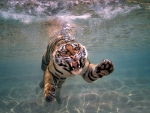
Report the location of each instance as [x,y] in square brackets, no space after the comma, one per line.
[49,87]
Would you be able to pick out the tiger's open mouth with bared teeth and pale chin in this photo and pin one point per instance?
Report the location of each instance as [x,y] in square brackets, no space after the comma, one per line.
[75,67]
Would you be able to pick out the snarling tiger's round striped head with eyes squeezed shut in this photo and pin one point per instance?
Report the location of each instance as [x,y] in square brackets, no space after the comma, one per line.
[71,56]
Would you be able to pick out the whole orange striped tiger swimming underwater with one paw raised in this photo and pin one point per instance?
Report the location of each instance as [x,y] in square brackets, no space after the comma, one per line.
[64,58]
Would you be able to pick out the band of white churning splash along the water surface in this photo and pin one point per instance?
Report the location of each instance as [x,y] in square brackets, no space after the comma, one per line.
[28,11]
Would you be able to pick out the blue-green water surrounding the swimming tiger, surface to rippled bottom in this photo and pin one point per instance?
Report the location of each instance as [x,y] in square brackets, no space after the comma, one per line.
[115,29]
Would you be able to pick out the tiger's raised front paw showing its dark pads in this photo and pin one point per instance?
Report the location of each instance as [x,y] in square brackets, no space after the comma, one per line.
[104,68]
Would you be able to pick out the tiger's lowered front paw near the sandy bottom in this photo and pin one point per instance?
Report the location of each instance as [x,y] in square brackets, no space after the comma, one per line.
[49,92]
